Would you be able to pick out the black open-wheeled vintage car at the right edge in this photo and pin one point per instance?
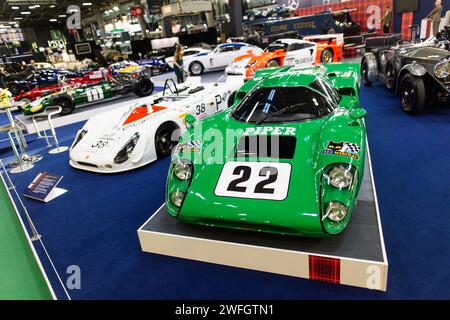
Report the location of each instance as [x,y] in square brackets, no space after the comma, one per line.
[415,72]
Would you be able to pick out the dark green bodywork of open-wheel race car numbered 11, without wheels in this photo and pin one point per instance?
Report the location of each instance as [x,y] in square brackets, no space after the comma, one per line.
[80,96]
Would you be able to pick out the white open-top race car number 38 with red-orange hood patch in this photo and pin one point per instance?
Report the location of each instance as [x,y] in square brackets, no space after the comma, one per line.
[126,138]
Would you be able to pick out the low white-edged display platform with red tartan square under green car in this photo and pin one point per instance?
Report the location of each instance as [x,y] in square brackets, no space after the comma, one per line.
[356,258]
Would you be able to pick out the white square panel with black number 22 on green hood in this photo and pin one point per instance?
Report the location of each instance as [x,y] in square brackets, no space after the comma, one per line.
[254,180]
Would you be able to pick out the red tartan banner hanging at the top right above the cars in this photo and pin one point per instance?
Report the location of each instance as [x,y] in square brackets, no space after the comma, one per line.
[368,13]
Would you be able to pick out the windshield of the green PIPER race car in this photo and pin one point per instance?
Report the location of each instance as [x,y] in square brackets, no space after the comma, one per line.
[283,104]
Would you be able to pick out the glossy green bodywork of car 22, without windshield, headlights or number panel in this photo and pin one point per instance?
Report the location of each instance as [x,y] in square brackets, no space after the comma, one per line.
[301,212]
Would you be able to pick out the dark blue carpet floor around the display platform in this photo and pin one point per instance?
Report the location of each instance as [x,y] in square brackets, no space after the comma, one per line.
[94,224]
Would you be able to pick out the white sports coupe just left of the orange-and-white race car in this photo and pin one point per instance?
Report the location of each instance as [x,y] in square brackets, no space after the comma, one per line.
[219,58]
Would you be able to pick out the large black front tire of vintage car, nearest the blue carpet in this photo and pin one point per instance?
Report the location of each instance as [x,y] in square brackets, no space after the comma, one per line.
[412,94]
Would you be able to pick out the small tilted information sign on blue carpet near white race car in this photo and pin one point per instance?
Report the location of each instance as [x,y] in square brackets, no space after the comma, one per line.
[43,187]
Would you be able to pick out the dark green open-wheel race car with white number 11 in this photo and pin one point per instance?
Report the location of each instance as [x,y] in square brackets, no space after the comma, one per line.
[72,96]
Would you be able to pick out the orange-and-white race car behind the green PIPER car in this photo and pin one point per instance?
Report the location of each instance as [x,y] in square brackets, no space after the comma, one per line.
[322,48]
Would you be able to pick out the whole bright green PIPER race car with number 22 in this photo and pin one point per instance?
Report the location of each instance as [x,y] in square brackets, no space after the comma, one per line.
[287,157]
